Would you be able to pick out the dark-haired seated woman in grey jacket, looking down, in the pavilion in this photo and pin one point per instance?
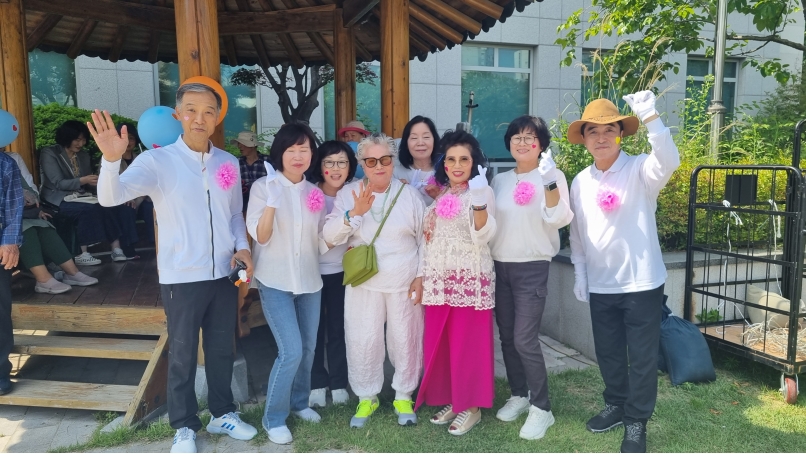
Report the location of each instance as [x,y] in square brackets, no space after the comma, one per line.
[66,171]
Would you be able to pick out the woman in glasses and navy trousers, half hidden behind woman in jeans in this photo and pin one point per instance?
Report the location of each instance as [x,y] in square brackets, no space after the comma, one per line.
[335,167]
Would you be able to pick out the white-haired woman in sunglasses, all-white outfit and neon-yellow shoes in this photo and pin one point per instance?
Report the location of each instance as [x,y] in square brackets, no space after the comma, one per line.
[391,296]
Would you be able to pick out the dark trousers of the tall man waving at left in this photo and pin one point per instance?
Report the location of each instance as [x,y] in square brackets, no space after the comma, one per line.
[211,306]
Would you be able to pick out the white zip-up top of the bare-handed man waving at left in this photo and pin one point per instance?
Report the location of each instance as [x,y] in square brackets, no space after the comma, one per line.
[200,222]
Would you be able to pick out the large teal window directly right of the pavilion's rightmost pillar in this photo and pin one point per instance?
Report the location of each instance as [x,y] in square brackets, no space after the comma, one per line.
[499,78]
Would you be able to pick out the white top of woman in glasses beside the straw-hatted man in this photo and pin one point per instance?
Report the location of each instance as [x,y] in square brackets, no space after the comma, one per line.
[530,232]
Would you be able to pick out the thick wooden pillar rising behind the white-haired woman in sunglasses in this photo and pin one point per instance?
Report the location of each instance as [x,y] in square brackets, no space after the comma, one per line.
[394,66]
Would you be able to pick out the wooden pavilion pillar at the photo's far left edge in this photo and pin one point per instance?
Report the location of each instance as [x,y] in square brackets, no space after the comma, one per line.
[15,84]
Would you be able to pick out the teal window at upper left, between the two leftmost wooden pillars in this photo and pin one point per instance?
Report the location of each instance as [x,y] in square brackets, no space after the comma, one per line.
[53,78]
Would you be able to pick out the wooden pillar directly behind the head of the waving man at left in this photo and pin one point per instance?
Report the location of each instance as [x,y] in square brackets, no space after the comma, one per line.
[197,45]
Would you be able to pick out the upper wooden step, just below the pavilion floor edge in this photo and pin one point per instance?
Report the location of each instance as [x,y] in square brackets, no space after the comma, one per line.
[86,347]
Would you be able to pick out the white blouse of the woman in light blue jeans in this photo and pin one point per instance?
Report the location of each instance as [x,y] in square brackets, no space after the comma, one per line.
[289,260]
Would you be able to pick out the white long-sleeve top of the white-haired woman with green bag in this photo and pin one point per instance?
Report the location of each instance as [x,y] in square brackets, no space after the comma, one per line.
[399,246]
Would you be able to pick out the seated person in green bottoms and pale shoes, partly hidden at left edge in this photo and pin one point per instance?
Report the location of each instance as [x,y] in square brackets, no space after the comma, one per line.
[40,242]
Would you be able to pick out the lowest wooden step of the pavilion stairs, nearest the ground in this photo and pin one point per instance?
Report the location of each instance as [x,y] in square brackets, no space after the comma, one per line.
[84,396]
